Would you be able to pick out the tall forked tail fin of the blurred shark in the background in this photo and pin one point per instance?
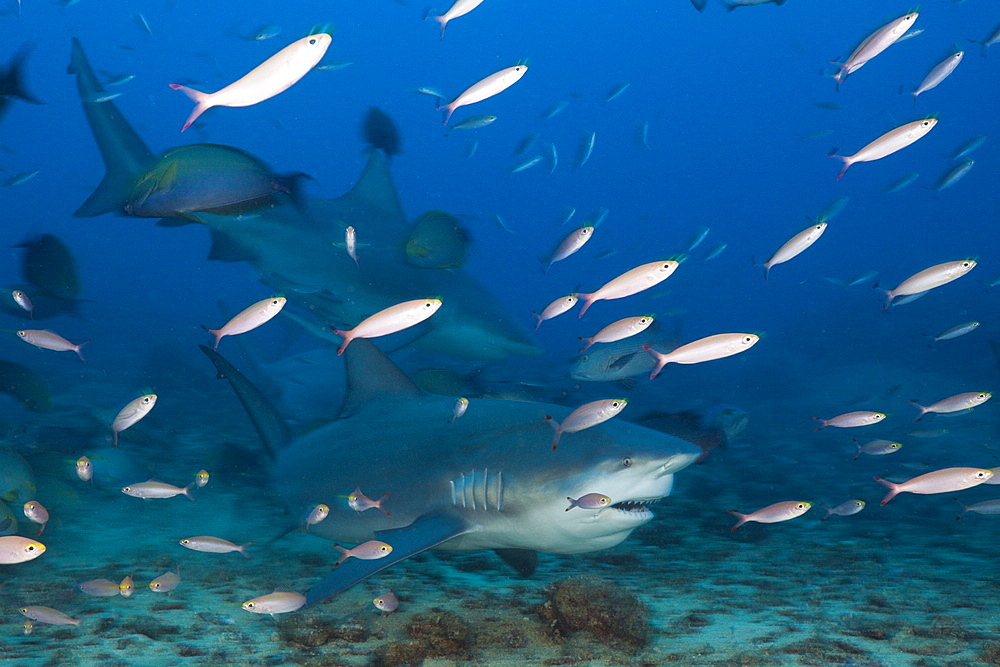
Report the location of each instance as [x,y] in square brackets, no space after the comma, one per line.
[126,156]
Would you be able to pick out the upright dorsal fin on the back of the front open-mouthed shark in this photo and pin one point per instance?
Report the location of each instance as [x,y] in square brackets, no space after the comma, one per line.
[373,378]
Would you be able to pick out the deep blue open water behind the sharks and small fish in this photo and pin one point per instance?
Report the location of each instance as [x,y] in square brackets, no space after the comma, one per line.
[727,98]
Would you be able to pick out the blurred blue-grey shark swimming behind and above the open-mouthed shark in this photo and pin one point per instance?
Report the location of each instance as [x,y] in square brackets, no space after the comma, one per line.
[292,241]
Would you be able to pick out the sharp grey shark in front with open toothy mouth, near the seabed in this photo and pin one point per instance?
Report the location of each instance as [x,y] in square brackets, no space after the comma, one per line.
[489,480]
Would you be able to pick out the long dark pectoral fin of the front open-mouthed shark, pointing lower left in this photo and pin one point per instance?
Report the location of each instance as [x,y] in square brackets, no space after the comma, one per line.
[426,532]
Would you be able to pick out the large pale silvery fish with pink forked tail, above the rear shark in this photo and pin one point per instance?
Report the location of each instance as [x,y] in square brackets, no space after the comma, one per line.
[273,76]
